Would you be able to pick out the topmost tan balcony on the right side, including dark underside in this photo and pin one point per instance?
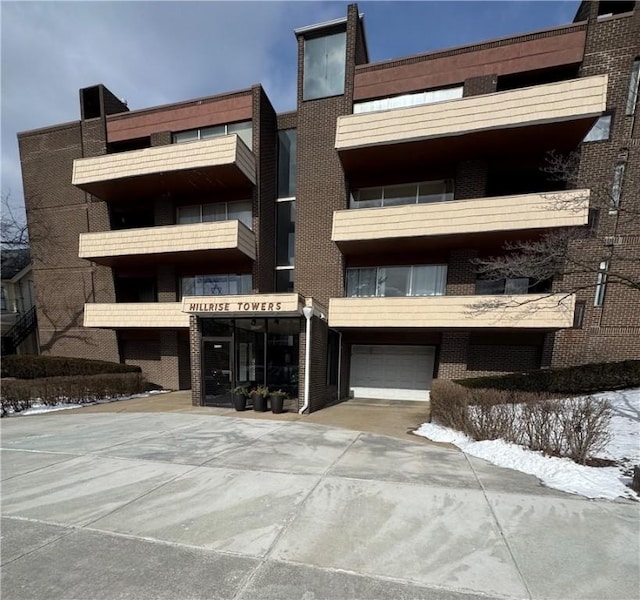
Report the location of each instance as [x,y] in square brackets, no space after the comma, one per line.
[554,115]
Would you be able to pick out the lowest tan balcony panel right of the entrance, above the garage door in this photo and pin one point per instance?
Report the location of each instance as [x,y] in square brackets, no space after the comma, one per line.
[531,311]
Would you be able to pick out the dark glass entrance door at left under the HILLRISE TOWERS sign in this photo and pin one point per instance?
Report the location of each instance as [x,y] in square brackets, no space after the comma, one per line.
[217,374]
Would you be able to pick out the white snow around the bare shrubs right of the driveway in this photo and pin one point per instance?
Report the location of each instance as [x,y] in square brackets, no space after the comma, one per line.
[562,473]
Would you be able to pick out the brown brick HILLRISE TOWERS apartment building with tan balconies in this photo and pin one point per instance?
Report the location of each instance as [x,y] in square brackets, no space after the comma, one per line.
[329,251]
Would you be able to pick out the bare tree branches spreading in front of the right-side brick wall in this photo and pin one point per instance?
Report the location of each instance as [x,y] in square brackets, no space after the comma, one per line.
[573,258]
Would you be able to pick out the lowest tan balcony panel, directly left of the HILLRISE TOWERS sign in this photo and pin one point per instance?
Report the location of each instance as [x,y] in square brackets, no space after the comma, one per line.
[135,315]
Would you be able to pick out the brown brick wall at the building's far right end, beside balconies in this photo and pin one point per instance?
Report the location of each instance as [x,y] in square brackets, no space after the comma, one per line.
[609,332]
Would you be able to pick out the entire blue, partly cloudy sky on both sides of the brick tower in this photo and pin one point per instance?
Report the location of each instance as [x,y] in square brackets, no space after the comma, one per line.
[153,53]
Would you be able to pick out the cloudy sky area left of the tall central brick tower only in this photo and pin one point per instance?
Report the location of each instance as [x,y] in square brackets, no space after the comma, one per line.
[149,53]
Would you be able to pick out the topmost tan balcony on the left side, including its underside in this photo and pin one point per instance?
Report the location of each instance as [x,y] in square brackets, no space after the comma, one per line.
[219,163]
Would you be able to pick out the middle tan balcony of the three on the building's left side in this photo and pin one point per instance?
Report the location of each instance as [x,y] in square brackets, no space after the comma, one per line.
[218,240]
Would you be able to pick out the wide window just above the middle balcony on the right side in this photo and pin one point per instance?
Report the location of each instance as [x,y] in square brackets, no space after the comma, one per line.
[409,193]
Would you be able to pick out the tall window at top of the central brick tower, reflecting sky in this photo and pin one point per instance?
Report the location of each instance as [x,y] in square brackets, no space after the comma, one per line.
[324,66]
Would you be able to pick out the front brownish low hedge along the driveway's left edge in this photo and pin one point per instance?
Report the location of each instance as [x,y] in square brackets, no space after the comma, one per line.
[20,394]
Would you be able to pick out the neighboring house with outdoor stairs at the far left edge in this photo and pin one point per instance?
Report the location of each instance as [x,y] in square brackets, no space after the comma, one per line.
[18,316]
